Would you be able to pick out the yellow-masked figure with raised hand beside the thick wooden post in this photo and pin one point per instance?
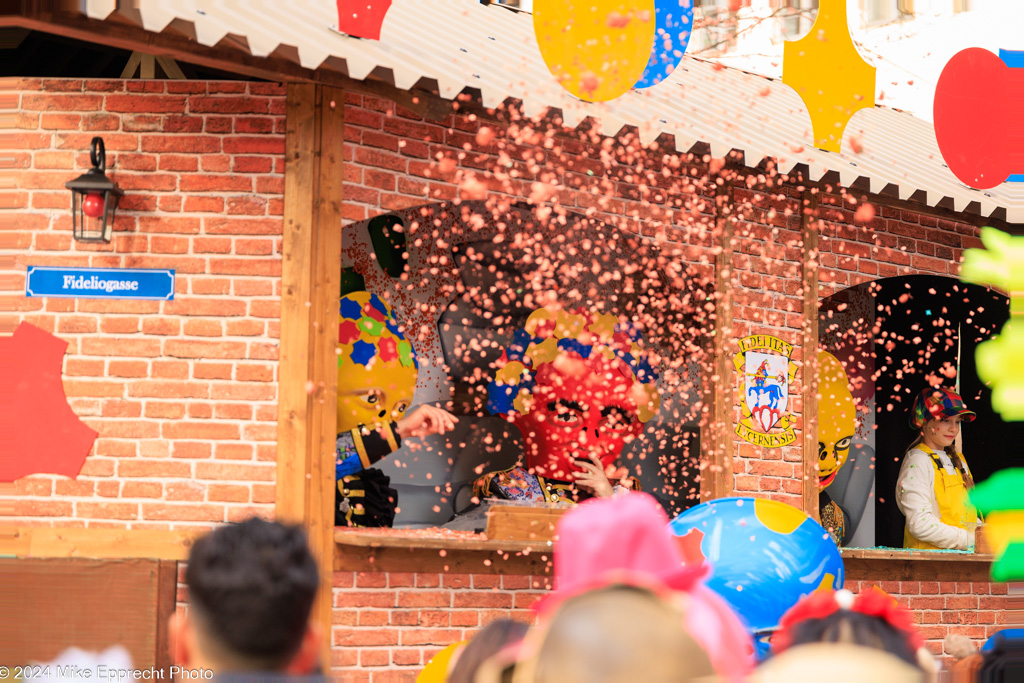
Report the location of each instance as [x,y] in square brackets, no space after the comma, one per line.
[377,372]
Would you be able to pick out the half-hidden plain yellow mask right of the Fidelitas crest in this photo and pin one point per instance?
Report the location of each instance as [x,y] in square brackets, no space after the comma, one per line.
[836,417]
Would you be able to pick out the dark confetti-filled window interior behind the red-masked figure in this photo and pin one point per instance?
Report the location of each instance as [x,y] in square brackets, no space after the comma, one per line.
[499,284]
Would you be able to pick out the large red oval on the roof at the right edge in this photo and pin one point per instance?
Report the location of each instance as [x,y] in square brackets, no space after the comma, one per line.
[979,110]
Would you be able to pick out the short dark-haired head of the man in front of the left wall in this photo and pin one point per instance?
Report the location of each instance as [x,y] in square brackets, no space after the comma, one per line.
[251,589]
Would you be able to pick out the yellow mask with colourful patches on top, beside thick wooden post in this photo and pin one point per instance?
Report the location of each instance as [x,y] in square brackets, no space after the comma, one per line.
[377,367]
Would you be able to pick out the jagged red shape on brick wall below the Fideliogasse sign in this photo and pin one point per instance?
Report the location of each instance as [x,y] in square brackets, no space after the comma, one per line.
[39,433]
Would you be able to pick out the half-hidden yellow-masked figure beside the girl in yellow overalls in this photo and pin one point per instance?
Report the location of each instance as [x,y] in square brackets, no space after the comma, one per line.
[836,430]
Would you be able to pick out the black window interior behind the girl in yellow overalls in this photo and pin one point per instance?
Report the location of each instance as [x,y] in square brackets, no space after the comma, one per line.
[902,332]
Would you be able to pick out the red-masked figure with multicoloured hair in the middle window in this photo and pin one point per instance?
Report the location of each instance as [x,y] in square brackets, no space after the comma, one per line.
[580,389]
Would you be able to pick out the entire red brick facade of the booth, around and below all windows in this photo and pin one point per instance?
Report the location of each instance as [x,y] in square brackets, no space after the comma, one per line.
[184,394]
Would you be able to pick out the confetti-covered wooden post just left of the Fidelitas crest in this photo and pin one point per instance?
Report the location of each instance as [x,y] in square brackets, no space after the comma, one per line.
[719,381]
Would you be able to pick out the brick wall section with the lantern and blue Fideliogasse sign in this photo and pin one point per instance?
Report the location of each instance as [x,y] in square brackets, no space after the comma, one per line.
[184,394]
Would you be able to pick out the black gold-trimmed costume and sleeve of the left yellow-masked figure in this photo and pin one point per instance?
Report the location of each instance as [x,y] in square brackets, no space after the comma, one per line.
[364,496]
